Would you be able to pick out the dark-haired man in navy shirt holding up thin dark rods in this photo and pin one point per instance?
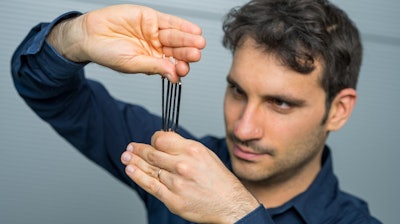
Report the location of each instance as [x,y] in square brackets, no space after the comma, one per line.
[292,81]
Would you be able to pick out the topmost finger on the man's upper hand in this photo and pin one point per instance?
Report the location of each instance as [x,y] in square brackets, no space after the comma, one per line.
[167,21]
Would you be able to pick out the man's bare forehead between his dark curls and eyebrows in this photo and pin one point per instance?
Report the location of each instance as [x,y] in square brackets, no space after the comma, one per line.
[254,69]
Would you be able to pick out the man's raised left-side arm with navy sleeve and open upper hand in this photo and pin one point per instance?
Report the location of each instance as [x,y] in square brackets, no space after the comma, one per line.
[48,74]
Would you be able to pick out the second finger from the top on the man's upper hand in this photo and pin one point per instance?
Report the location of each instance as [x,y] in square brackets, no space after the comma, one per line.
[176,38]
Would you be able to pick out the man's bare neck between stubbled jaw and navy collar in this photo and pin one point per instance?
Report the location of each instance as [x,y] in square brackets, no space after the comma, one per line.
[274,193]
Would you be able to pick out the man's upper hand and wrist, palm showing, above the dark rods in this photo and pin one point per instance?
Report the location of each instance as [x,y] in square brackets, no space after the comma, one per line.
[130,39]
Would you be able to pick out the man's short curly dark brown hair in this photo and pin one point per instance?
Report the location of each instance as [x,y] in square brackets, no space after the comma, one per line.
[299,32]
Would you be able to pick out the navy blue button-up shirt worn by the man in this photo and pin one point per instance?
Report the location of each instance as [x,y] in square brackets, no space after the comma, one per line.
[100,127]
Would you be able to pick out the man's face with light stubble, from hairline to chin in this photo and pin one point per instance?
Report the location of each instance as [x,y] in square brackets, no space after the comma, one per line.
[273,117]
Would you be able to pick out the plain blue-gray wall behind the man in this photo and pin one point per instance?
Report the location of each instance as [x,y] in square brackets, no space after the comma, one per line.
[44,180]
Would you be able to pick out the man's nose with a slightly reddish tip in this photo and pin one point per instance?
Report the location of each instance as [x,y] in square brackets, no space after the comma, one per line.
[250,124]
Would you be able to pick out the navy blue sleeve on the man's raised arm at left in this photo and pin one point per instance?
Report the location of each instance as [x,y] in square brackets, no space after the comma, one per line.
[80,110]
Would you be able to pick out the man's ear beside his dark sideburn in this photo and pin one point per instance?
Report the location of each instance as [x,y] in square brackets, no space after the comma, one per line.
[341,109]
